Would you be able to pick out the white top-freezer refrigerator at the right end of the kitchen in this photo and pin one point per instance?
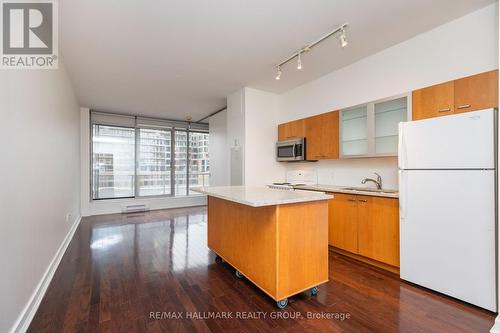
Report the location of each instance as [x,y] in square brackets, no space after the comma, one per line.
[447,176]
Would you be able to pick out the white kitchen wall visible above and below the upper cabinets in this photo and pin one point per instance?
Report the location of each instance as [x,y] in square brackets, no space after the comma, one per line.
[466,46]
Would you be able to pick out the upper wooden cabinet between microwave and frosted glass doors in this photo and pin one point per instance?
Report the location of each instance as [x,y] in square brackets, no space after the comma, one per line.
[322,136]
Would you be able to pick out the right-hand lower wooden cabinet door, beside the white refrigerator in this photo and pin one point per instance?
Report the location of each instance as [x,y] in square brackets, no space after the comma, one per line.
[378,229]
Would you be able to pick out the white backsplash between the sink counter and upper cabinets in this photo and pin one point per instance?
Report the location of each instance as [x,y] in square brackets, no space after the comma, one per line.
[350,172]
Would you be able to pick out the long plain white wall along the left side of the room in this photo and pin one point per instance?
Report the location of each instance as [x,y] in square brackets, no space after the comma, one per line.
[39,196]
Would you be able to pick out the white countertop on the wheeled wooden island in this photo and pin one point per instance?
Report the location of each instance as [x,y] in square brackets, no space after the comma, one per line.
[261,196]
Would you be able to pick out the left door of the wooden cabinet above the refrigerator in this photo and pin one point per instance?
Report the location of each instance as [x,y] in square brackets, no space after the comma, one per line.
[434,101]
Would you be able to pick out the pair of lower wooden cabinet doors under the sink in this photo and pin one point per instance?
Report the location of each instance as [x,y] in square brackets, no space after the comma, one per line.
[367,226]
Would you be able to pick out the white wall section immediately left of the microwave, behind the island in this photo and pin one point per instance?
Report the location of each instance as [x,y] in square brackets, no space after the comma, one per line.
[261,117]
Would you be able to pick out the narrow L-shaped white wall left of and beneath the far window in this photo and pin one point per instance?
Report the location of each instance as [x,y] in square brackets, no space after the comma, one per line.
[111,206]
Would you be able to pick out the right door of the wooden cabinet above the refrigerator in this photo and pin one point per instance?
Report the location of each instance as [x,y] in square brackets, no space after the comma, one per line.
[476,92]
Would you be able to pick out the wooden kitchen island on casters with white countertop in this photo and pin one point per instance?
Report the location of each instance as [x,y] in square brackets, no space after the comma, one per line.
[276,239]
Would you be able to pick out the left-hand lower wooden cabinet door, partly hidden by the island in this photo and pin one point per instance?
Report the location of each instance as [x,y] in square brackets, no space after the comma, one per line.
[343,225]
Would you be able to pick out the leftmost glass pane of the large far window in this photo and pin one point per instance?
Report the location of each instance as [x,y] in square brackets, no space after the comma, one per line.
[113,162]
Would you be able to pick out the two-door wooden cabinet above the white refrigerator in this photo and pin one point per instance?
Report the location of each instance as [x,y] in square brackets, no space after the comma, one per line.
[471,93]
